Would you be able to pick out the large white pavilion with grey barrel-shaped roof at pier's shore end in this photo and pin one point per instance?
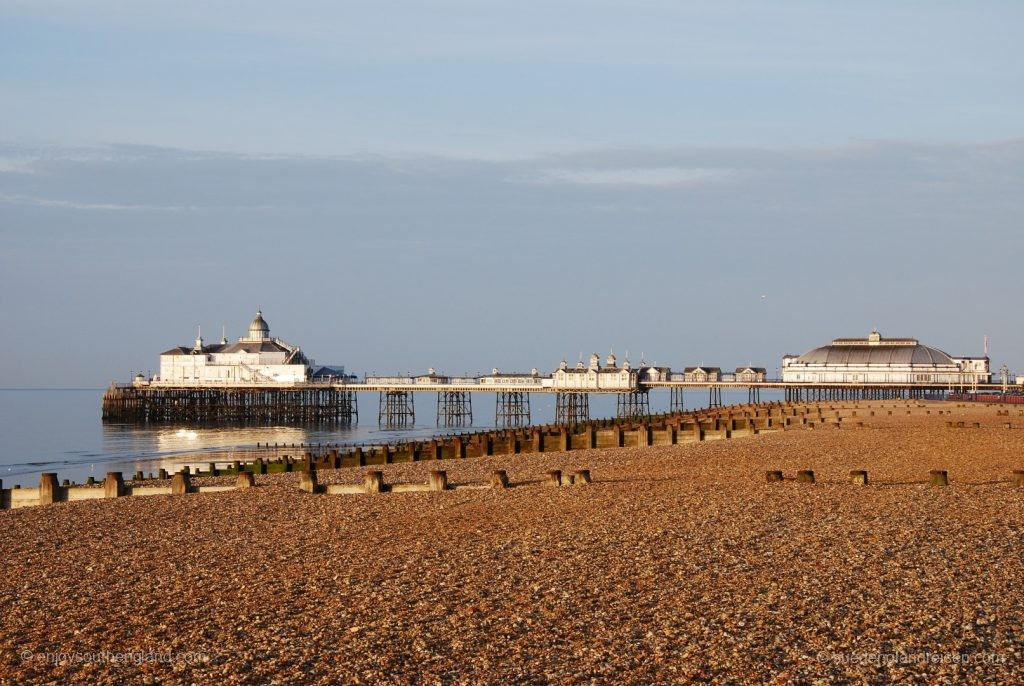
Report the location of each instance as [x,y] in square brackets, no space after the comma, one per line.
[877,360]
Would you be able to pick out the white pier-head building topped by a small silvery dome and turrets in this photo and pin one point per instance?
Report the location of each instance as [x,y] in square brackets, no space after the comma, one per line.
[254,359]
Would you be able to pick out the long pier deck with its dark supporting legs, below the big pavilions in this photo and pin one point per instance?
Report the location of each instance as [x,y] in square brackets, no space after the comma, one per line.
[336,401]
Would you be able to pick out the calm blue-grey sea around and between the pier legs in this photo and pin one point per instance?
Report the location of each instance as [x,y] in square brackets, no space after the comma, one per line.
[61,432]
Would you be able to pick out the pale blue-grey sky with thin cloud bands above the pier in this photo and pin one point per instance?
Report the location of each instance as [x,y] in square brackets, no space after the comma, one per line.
[466,186]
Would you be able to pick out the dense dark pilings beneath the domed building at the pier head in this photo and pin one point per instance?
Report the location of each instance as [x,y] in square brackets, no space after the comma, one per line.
[300,405]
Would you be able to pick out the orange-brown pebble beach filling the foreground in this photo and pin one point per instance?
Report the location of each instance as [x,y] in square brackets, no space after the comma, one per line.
[678,564]
